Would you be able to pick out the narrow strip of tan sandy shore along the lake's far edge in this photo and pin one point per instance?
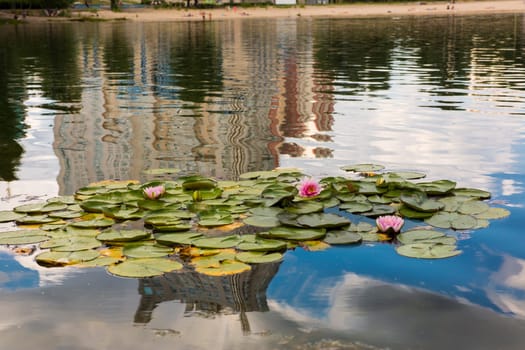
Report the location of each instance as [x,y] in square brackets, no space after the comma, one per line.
[350,10]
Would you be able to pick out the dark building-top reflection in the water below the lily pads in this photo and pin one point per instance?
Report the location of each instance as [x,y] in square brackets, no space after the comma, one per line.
[208,295]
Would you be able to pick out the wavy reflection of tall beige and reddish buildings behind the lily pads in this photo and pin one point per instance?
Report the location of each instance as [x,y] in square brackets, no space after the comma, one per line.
[144,108]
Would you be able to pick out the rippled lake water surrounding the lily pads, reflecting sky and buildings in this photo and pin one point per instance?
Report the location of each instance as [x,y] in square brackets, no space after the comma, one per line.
[83,102]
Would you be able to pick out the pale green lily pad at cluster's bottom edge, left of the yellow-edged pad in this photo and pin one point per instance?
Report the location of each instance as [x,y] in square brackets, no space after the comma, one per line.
[140,268]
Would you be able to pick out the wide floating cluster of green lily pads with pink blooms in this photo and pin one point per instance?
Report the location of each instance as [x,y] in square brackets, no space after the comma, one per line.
[222,227]
